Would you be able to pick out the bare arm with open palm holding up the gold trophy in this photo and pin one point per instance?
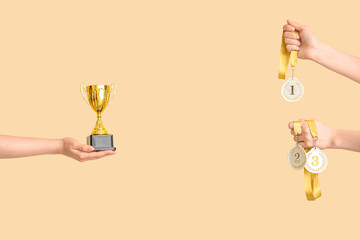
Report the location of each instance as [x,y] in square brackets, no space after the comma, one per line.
[14,147]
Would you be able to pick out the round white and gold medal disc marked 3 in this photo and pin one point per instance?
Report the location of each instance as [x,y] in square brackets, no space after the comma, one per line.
[316,161]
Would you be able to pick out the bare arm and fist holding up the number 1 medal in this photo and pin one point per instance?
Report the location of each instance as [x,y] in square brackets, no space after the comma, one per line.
[310,48]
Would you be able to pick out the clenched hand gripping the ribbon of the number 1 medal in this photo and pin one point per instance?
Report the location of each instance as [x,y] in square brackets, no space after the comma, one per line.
[305,43]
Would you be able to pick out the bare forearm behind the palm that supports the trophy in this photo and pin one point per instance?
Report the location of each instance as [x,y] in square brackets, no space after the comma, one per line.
[13,147]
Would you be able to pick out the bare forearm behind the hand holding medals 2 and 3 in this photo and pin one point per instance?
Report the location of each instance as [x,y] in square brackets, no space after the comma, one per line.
[346,139]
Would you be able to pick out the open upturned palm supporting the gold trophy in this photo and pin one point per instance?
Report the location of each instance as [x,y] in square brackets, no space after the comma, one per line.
[81,152]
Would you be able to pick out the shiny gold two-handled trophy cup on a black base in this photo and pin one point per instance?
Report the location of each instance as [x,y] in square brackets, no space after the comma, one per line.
[99,97]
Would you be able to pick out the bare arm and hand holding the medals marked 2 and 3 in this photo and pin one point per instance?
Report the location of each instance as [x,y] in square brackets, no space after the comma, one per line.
[328,137]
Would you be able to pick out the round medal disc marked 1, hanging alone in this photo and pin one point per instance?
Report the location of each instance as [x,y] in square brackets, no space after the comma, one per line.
[292,90]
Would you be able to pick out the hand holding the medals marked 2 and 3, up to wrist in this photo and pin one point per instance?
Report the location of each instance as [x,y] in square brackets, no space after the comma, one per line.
[325,135]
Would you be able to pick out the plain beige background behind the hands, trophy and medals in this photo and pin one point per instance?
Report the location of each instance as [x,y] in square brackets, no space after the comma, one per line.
[199,121]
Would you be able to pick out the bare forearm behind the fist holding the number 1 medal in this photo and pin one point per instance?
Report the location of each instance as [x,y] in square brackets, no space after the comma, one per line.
[337,61]
